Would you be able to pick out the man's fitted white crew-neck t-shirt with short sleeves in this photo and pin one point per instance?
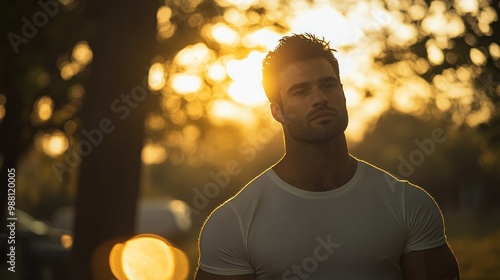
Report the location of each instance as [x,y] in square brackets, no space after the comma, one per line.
[357,231]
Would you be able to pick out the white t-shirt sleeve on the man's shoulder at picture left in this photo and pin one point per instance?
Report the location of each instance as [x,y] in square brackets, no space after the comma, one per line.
[222,246]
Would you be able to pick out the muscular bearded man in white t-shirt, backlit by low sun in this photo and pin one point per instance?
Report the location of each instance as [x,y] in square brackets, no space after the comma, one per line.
[320,213]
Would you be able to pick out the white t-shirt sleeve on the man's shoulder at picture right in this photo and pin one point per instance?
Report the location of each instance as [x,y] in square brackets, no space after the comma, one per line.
[424,221]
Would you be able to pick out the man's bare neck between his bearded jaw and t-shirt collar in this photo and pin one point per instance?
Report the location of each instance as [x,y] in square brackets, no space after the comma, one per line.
[316,166]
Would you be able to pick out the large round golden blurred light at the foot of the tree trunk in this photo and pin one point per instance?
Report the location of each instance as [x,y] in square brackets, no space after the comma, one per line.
[147,257]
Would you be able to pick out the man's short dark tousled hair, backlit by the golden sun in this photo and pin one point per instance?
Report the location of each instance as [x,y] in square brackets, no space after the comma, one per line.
[291,49]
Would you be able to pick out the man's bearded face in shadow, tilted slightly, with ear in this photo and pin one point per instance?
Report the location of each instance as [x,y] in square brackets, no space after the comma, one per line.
[313,103]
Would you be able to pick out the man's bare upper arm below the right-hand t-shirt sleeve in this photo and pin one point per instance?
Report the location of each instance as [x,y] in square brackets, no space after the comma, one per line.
[432,264]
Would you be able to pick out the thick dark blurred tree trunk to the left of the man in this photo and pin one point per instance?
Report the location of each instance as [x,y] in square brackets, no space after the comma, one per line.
[116,102]
